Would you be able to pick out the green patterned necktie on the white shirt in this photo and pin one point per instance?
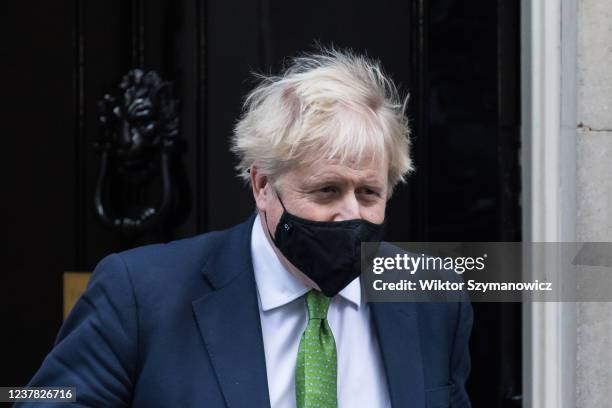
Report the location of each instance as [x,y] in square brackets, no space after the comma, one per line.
[315,371]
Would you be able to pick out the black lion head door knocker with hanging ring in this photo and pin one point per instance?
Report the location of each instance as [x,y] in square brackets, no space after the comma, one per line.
[138,140]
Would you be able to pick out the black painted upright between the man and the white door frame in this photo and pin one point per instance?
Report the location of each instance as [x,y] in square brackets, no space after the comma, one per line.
[472,168]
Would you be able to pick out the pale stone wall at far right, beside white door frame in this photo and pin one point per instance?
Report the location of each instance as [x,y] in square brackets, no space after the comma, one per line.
[594,193]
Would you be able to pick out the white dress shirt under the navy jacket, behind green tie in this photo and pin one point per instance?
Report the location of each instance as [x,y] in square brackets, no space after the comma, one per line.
[282,308]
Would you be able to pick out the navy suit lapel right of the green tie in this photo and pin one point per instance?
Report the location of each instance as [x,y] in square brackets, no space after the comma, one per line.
[397,329]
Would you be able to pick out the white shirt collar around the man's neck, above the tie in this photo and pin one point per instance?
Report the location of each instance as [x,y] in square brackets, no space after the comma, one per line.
[275,284]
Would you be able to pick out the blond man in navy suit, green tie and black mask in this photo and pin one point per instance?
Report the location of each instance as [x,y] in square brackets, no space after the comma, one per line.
[271,312]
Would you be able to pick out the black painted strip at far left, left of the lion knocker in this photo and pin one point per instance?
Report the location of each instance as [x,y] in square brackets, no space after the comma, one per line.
[38,181]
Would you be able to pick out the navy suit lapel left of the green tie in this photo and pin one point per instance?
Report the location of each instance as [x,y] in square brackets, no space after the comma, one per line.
[228,320]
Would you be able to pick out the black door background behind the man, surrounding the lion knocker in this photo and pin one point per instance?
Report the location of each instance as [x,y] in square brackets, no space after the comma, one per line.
[458,60]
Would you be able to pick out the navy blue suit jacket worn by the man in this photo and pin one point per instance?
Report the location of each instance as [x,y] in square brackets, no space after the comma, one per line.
[177,325]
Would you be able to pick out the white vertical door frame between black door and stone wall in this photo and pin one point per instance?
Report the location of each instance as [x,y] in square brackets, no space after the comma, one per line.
[548,93]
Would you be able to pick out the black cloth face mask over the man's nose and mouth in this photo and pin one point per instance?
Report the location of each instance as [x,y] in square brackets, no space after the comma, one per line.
[329,253]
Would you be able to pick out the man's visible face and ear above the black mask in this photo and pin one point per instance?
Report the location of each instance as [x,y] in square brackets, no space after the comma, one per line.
[324,191]
